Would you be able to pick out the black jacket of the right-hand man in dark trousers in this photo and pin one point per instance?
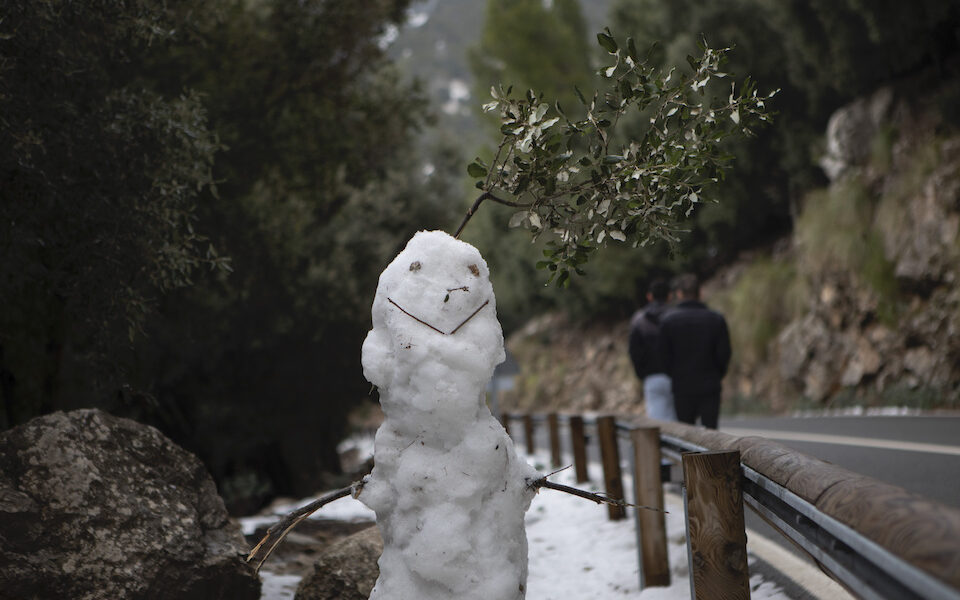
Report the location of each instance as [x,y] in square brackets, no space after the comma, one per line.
[694,348]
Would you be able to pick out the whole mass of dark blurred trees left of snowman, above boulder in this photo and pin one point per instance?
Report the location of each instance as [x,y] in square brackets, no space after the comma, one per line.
[116,124]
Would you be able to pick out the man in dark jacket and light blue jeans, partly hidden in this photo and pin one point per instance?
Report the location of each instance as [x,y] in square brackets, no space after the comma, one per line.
[645,353]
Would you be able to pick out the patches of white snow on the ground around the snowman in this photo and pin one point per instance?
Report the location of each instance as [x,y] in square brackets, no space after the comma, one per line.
[575,552]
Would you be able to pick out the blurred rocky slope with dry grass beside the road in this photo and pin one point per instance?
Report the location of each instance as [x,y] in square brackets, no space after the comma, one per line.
[860,305]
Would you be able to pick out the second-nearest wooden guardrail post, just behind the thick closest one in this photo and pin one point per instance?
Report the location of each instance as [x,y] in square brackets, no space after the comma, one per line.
[648,491]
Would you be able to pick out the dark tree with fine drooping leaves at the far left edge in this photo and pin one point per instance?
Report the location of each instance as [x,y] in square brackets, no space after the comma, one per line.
[100,177]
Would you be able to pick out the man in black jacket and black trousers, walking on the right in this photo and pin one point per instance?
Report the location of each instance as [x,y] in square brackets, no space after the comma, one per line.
[695,350]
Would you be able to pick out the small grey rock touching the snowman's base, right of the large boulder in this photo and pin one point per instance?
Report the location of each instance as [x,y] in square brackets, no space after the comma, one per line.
[347,571]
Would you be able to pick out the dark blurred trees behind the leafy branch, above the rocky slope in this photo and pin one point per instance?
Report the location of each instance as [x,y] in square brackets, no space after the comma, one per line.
[781,46]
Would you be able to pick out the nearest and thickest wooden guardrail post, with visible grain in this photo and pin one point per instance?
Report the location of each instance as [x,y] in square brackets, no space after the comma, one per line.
[716,539]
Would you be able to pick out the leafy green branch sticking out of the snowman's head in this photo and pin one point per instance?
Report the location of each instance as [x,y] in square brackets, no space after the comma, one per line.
[572,187]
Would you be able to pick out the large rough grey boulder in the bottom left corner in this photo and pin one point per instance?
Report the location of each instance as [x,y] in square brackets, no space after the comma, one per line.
[94,507]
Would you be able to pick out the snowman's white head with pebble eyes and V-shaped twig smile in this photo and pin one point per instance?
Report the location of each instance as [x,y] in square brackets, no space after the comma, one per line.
[434,311]
